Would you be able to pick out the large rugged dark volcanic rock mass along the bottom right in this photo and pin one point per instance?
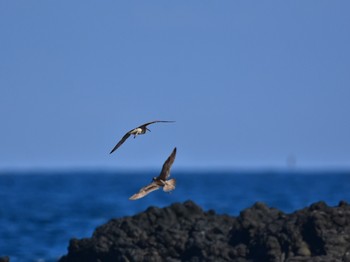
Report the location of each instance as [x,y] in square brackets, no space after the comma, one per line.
[184,232]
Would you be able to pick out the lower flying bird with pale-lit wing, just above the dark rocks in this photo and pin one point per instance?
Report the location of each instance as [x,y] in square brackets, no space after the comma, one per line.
[160,181]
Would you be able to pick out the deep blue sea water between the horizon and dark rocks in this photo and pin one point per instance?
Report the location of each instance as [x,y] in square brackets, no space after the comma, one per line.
[41,211]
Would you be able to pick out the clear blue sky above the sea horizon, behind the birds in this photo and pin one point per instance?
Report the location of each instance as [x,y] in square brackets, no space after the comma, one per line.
[251,84]
